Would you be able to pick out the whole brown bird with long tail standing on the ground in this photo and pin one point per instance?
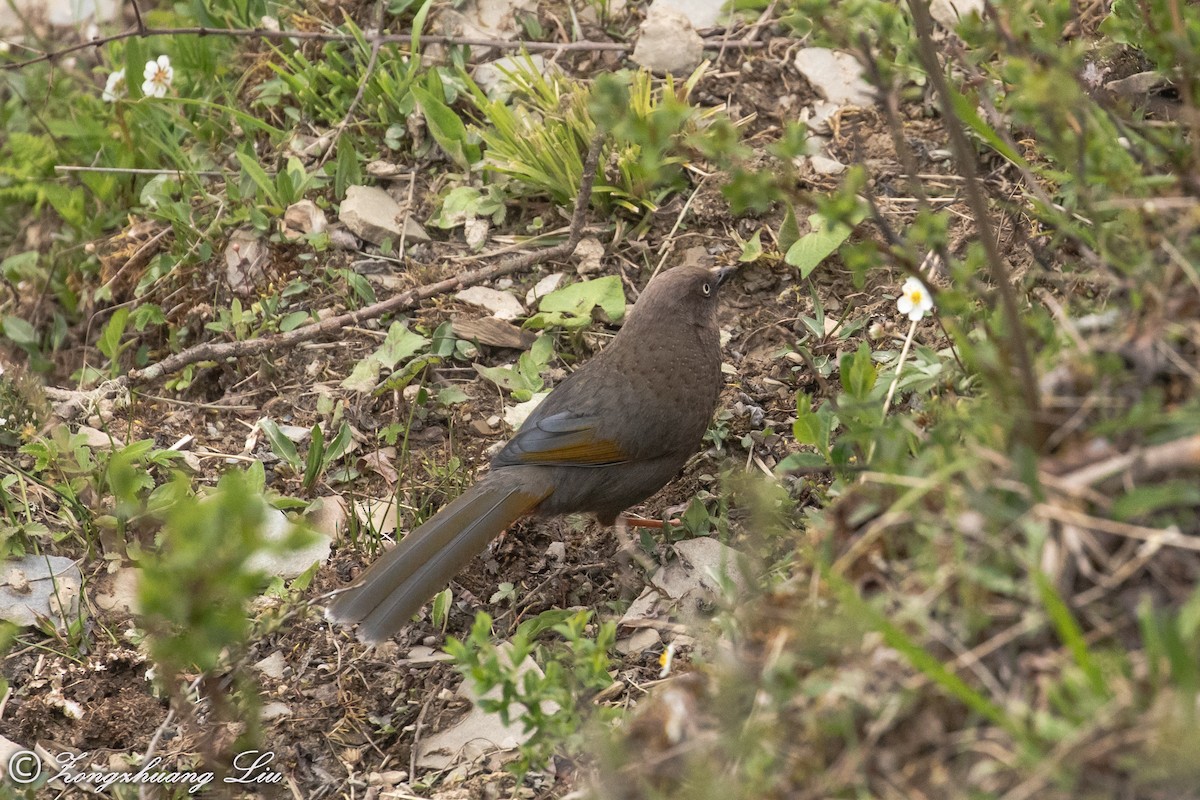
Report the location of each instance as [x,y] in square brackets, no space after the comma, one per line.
[611,435]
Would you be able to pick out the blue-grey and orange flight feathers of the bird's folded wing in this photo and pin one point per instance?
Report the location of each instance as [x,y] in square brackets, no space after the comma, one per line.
[562,440]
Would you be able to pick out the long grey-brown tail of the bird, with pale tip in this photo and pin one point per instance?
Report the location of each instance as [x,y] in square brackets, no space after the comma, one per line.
[386,597]
